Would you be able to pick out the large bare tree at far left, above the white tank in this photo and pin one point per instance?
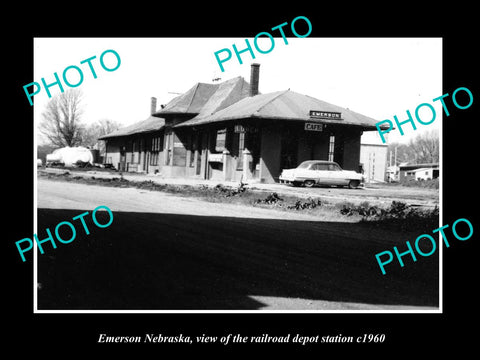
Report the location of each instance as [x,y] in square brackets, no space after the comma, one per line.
[61,119]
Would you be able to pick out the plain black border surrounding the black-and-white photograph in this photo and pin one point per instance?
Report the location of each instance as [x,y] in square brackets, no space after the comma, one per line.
[407,334]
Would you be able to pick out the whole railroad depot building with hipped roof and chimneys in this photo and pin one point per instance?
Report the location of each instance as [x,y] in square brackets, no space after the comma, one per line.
[229,131]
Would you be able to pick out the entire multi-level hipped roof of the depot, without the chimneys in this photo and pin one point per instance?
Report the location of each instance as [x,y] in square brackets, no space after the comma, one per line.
[230,100]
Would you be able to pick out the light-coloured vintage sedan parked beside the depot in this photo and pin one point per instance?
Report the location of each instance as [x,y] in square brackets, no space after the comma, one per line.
[321,172]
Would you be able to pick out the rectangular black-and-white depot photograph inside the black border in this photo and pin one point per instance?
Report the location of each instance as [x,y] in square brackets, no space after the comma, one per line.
[267,186]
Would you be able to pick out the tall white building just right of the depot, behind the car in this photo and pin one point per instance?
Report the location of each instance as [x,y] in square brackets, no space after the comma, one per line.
[373,157]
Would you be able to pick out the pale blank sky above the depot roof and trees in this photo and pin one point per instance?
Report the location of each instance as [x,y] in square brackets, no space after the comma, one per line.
[377,77]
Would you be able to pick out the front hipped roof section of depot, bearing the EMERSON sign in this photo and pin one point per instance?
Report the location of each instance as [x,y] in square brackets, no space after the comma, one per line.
[282,105]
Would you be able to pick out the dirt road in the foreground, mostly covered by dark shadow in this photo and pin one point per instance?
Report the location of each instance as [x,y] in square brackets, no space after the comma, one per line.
[168,252]
